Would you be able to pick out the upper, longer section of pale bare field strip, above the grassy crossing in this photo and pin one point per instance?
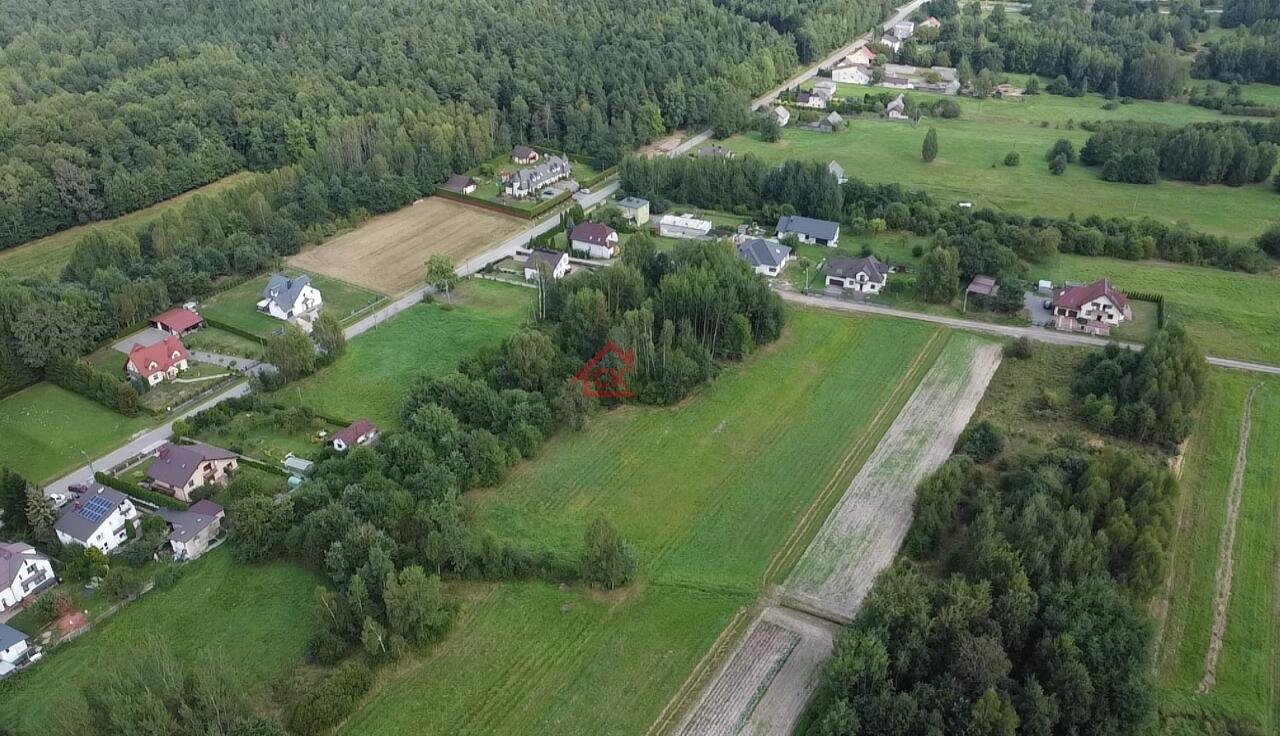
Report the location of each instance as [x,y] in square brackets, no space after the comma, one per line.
[863,534]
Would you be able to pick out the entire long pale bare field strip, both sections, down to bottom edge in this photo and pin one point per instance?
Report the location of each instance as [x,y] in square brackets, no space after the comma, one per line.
[765,687]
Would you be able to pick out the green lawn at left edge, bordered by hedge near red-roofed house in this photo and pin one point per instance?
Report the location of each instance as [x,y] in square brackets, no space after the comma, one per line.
[45,429]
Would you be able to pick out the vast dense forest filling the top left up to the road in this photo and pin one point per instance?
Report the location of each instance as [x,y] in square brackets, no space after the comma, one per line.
[108,112]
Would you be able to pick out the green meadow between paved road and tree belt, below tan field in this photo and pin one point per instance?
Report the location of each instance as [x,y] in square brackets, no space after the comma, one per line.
[371,381]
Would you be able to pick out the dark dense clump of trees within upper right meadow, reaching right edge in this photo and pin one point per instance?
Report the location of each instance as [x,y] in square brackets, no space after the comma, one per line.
[1233,154]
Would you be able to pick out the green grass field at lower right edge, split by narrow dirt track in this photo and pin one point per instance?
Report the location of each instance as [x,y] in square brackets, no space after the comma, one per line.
[1249,671]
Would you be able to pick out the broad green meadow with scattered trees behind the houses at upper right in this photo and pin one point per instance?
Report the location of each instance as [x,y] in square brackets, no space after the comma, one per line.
[971,150]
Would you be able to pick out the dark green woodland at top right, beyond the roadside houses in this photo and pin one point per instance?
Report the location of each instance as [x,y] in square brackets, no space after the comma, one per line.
[1113,47]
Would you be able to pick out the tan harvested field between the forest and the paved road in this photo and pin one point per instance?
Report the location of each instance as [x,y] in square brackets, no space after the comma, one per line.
[387,254]
